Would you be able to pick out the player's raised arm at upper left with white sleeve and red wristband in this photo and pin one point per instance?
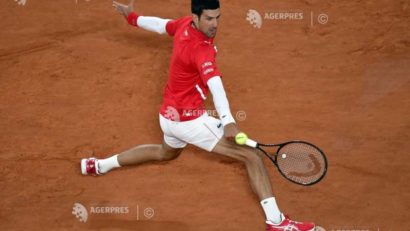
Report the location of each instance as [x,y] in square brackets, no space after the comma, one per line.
[153,24]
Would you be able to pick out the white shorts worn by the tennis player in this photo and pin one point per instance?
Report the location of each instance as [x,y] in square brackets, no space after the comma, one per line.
[203,132]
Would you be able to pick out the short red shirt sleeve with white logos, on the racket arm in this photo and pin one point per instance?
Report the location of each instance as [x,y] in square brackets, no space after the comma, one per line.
[205,62]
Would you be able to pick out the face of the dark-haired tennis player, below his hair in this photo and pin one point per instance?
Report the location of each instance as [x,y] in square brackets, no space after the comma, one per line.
[208,22]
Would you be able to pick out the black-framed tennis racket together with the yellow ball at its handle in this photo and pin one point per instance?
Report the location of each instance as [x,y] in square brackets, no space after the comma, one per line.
[298,161]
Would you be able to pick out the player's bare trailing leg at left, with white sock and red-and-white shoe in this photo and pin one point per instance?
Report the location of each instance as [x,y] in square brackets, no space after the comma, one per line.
[134,156]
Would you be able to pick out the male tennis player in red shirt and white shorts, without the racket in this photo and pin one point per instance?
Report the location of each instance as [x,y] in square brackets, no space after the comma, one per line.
[193,73]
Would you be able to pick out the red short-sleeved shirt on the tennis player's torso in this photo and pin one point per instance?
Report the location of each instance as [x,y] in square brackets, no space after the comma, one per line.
[192,65]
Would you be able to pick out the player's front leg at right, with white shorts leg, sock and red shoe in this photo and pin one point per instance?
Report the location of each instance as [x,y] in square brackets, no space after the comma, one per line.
[207,133]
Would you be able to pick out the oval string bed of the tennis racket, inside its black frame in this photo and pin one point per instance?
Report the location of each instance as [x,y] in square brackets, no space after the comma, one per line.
[301,162]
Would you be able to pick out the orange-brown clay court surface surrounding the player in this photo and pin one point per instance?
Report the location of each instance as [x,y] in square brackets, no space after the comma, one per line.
[77,81]
